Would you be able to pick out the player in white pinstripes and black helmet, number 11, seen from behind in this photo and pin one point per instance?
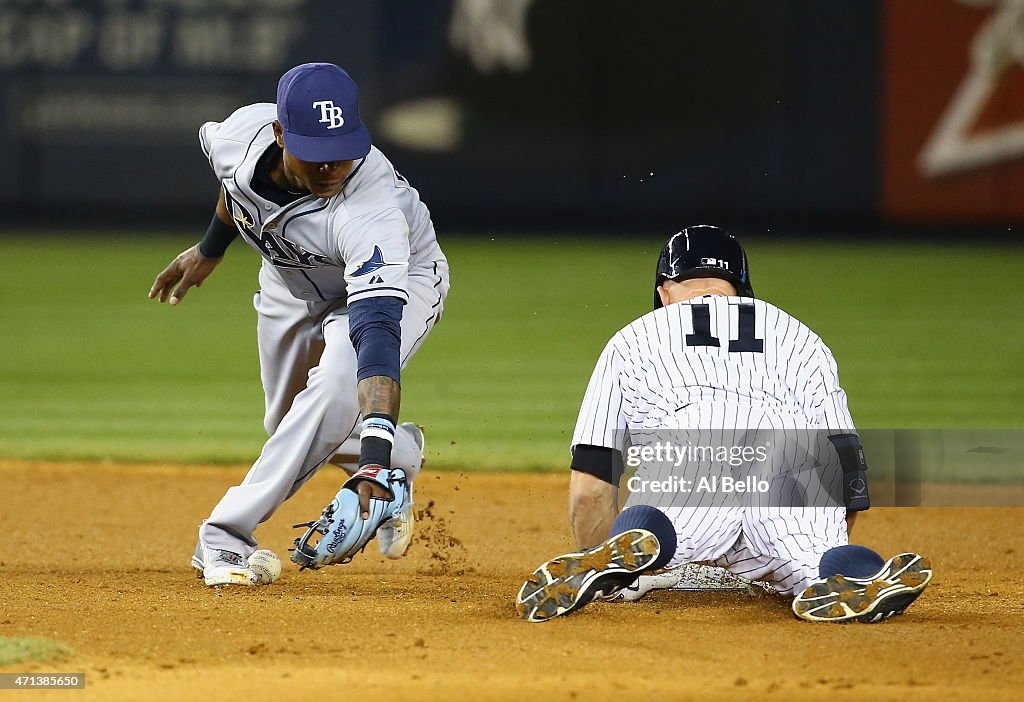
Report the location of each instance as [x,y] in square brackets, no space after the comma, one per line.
[741,387]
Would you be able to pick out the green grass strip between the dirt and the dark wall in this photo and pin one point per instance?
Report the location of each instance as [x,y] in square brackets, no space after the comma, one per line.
[925,336]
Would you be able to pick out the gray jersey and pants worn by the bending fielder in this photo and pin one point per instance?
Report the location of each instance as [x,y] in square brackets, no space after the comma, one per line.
[374,239]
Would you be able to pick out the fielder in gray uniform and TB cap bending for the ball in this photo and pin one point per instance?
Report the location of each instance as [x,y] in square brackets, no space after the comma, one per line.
[353,282]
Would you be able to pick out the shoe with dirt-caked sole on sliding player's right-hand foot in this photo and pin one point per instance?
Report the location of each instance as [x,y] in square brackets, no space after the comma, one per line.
[871,600]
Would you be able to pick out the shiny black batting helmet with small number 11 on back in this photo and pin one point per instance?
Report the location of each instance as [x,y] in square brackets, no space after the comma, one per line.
[704,252]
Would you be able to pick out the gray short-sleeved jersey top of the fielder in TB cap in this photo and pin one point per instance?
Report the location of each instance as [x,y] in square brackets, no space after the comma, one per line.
[362,243]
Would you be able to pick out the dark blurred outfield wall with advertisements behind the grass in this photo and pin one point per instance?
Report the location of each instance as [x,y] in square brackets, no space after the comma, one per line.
[540,113]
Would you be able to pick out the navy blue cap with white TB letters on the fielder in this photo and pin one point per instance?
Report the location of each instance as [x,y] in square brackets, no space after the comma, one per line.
[319,109]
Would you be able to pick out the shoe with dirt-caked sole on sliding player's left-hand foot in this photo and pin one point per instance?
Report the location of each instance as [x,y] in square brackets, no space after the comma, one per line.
[566,584]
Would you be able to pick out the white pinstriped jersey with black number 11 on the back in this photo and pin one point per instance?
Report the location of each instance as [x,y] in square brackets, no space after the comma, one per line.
[744,357]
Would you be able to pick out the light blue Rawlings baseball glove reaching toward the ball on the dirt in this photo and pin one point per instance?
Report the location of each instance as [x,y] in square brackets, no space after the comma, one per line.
[342,533]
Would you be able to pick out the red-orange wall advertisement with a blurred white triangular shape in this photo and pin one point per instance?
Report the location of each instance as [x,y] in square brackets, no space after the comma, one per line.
[954,113]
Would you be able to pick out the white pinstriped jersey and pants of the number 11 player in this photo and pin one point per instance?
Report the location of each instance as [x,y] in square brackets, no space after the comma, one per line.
[712,370]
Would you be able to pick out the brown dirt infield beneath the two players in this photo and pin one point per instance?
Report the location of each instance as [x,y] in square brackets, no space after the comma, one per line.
[97,557]
